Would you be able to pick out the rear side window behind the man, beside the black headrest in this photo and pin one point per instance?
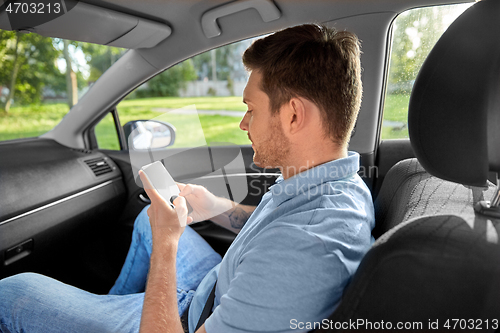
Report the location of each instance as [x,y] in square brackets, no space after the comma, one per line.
[415,32]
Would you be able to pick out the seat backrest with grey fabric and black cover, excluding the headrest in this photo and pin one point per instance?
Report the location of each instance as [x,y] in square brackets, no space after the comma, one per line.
[437,259]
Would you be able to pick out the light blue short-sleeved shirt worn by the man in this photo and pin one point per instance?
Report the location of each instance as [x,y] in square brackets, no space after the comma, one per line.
[295,254]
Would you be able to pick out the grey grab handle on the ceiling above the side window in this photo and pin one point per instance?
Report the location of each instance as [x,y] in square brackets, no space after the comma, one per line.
[266,8]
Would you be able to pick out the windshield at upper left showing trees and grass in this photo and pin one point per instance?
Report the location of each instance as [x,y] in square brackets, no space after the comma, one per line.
[35,89]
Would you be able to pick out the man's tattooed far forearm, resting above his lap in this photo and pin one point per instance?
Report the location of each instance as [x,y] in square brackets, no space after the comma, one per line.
[234,217]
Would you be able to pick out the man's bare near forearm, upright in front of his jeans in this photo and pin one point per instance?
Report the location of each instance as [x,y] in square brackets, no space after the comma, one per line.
[160,313]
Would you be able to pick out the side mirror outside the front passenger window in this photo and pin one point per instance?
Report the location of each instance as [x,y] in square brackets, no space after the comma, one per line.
[149,134]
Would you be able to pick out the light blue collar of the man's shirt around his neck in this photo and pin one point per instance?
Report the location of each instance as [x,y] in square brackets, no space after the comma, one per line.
[285,189]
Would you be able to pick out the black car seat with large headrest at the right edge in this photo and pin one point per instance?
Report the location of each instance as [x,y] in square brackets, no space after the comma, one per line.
[438,255]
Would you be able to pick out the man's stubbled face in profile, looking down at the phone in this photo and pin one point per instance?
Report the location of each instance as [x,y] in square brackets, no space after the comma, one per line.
[271,146]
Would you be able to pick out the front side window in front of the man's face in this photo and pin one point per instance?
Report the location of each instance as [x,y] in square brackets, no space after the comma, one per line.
[200,97]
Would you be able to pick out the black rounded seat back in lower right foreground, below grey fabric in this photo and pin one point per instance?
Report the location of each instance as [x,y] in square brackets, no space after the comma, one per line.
[428,269]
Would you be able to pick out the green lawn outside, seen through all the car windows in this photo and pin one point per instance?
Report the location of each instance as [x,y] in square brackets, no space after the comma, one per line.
[34,120]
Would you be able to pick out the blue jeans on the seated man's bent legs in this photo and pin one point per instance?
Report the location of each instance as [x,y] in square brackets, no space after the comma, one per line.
[35,303]
